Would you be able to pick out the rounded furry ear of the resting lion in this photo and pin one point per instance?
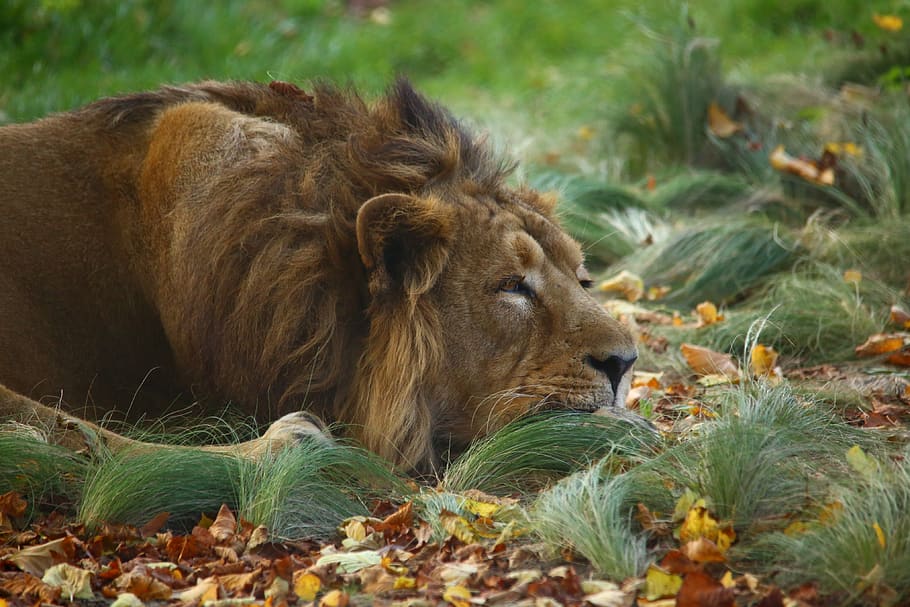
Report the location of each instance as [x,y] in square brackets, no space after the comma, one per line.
[403,242]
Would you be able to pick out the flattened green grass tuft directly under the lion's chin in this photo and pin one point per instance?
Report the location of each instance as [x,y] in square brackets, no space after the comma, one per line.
[531,452]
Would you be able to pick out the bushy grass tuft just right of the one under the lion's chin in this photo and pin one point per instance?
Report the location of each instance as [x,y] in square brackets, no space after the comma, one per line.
[758,460]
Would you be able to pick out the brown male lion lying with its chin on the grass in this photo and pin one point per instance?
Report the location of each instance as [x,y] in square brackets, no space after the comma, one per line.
[286,251]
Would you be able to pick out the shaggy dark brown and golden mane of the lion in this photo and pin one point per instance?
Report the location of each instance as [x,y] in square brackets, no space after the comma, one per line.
[274,297]
